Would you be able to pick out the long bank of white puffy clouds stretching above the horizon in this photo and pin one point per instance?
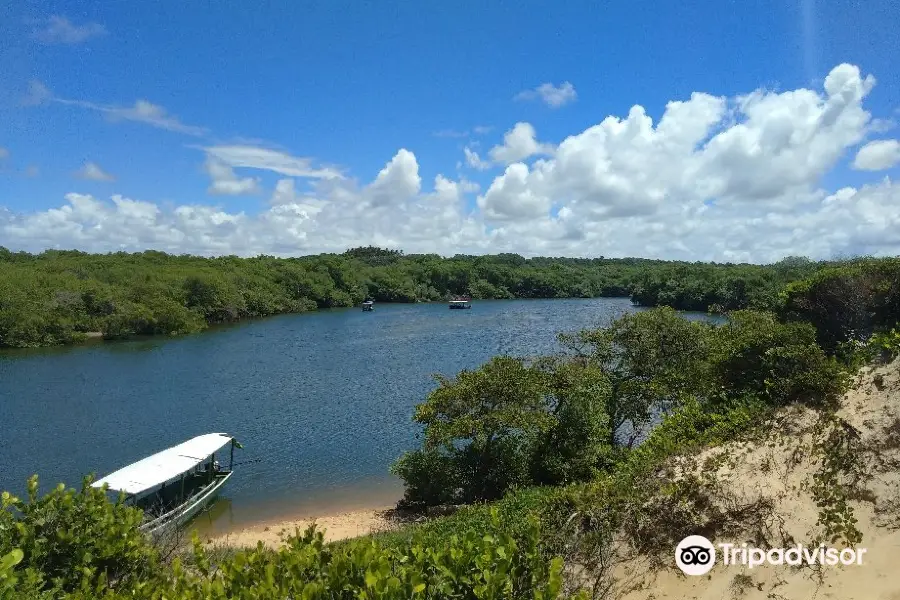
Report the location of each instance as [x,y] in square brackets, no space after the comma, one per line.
[714,178]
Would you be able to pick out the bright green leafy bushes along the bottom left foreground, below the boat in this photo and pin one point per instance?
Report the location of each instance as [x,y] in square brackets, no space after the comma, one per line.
[468,565]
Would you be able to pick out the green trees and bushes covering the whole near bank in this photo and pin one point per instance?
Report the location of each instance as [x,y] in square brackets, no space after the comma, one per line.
[561,461]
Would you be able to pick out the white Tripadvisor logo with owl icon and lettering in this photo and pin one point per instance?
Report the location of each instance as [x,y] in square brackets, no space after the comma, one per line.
[696,555]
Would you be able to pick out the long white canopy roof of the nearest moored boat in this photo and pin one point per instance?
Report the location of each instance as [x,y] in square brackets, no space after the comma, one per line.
[163,466]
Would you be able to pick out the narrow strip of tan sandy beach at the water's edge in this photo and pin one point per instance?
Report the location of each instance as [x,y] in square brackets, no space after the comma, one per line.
[341,526]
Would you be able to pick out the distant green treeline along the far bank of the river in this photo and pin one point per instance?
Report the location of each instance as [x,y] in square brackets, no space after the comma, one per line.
[58,297]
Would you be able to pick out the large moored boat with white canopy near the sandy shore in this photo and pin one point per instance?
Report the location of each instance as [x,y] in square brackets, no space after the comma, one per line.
[172,486]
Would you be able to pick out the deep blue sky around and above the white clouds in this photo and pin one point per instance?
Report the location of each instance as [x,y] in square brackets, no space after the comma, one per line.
[348,84]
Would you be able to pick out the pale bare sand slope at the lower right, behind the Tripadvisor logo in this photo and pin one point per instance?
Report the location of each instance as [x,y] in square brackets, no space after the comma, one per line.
[782,473]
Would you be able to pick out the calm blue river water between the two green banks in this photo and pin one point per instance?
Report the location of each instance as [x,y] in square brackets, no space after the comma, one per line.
[322,402]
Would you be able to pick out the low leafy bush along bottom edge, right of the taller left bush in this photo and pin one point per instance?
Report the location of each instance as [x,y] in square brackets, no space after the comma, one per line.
[466,566]
